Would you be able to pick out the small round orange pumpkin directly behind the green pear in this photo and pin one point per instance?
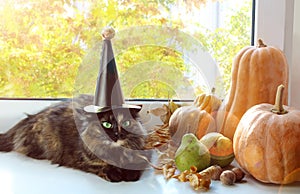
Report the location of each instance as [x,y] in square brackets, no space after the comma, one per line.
[190,119]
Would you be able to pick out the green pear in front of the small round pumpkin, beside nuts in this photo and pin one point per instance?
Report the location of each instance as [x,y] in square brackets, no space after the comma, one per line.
[191,152]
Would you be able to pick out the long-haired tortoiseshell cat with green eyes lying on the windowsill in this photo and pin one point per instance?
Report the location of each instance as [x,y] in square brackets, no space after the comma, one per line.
[109,144]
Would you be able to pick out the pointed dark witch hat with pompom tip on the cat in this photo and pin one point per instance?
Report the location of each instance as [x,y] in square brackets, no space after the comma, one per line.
[108,94]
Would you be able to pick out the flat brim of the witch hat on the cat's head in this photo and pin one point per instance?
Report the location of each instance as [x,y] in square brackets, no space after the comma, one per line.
[99,109]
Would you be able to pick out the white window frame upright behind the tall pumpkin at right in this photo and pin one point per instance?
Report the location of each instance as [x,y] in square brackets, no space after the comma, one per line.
[278,24]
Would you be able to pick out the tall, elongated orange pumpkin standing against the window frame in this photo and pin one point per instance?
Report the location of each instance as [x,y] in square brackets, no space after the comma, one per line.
[256,73]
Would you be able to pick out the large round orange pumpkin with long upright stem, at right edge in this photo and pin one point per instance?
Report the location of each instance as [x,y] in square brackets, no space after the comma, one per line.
[267,142]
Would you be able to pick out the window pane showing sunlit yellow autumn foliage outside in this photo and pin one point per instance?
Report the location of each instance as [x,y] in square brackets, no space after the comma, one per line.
[163,49]
